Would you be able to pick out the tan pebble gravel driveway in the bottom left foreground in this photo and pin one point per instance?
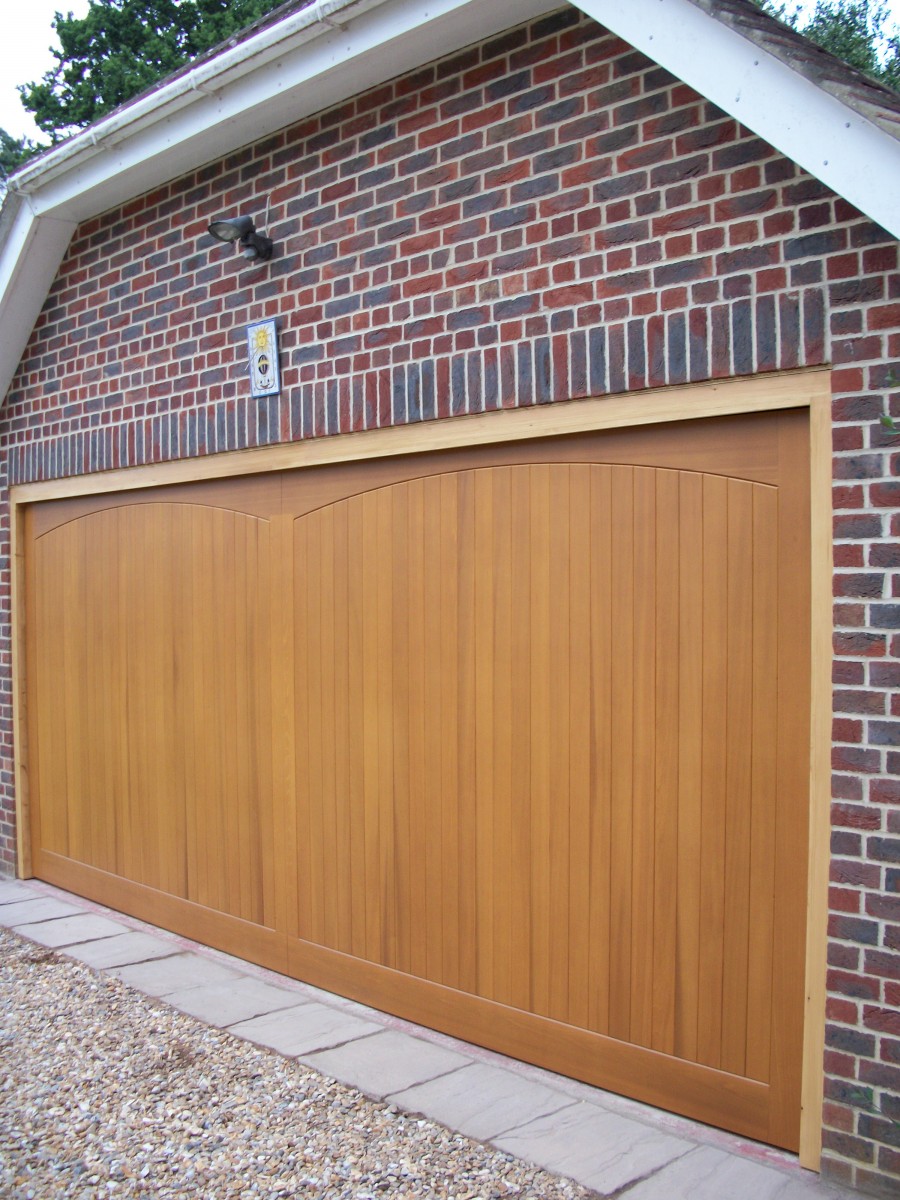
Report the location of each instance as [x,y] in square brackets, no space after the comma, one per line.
[109,1094]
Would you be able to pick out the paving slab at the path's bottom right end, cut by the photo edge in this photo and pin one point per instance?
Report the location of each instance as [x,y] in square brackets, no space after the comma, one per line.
[710,1174]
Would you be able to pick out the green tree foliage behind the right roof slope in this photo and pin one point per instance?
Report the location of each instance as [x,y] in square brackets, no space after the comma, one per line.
[860,32]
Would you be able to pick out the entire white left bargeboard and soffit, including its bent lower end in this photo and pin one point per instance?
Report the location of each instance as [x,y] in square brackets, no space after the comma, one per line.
[230,101]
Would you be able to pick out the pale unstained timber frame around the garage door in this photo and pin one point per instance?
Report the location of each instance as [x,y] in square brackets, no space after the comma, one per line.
[760,394]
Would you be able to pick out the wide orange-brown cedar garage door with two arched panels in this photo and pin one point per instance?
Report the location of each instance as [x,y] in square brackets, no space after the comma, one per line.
[512,741]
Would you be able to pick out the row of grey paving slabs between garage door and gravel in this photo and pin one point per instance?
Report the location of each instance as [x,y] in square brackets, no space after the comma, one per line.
[607,1143]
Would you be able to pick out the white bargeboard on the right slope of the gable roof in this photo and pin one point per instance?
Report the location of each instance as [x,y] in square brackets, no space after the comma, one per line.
[831,141]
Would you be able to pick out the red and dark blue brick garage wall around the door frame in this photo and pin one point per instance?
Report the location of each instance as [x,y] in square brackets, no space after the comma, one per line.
[547,217]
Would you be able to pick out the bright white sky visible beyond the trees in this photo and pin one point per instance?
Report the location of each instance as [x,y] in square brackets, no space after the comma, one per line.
[26,57]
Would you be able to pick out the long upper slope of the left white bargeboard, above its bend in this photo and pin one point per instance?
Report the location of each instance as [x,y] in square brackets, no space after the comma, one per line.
[284,83]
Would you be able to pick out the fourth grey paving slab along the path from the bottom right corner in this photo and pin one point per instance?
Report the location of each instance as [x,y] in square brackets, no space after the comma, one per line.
[386,1064]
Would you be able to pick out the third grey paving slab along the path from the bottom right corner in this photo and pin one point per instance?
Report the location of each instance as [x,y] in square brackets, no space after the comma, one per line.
[482,1102]
